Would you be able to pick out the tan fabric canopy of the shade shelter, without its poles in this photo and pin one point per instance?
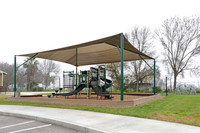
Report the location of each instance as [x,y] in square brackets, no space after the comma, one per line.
[105,50]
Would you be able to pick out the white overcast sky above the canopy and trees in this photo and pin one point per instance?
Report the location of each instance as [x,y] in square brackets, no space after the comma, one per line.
[36,25]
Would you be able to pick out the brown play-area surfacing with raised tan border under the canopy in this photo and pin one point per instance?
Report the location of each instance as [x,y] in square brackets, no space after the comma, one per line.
[82,100]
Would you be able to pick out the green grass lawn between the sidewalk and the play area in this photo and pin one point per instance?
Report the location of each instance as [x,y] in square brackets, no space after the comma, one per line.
[180,108]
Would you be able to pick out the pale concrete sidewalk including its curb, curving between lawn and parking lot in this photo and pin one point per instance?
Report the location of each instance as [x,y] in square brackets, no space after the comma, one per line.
[91,122]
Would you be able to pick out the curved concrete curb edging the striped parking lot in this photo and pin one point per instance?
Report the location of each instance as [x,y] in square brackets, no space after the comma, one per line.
[70,125]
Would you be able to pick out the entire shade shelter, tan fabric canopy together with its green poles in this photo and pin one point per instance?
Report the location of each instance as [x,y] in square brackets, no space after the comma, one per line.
[110,49]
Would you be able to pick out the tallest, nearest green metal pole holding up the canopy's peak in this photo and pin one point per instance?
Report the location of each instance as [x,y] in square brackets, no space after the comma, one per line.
[122,66]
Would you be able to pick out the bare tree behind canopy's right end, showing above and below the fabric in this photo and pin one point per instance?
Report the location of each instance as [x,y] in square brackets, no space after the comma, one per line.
[141,38]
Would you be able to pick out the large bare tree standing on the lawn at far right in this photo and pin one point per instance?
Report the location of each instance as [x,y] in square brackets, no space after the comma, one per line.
[180,39]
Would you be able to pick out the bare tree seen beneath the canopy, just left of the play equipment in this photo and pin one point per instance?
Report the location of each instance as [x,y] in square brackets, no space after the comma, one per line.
[46,67]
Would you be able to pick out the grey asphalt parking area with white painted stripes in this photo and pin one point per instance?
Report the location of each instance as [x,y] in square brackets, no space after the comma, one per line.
[21,125]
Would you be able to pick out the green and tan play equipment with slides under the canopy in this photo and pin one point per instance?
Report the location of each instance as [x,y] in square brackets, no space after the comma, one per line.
[94,79]
